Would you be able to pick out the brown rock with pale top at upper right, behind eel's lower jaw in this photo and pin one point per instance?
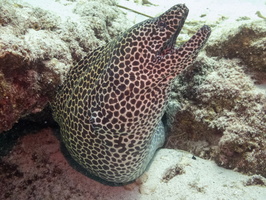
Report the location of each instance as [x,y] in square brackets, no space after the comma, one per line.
[245,40]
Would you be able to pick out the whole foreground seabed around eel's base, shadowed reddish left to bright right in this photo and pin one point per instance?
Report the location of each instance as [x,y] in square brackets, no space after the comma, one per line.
[36,169]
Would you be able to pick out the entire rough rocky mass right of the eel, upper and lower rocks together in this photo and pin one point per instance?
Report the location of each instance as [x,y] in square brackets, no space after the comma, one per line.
[216,110]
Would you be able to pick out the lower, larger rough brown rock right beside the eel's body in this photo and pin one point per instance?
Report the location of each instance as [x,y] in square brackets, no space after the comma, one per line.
[222,116]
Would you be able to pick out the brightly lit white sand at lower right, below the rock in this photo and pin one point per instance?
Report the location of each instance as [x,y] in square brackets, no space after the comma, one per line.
[201,179]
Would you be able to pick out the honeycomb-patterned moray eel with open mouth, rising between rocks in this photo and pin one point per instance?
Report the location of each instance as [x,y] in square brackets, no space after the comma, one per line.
[111,103]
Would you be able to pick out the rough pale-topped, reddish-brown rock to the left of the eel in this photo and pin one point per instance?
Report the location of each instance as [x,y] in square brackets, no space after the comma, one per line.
[38,46]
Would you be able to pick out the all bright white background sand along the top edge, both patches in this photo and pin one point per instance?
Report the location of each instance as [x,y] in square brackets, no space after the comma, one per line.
[214,9]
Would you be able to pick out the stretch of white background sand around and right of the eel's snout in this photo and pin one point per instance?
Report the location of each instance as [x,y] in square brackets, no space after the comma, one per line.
[214,9]
